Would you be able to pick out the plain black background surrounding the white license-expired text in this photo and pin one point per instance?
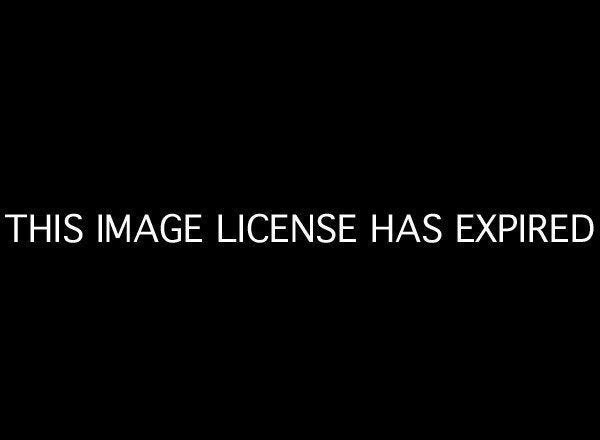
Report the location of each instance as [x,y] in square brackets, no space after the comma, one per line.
[368,113]
